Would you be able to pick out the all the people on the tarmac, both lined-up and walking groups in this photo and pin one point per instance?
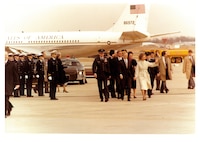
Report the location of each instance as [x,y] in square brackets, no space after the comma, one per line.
[116,74]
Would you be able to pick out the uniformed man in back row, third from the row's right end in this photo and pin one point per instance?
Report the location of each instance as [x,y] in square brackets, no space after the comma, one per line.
[22,73]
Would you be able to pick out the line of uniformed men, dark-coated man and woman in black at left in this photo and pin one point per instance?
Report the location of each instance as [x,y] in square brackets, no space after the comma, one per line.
[21,71]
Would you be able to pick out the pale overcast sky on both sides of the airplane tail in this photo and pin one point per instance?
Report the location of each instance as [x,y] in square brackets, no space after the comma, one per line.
[52,16]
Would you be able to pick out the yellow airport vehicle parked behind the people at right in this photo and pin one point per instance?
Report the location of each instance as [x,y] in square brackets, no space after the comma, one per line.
[175,55]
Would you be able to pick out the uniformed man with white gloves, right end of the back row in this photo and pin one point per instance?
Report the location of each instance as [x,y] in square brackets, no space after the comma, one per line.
[40,74]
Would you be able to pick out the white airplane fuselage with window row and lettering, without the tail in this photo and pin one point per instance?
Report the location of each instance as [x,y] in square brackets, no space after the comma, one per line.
[69,43]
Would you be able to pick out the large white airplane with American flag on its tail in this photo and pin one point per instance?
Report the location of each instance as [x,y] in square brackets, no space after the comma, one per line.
[129,28]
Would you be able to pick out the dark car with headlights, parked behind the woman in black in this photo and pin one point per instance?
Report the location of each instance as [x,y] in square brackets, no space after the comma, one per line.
[74,70]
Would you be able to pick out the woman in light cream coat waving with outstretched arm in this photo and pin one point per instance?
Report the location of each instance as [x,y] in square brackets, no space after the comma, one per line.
[142,74]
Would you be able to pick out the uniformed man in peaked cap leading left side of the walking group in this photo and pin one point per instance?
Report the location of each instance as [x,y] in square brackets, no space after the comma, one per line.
[101,71]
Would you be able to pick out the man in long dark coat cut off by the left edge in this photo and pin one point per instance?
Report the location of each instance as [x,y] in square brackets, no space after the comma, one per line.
[11,83]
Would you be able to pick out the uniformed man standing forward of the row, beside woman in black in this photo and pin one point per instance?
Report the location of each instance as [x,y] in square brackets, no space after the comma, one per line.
[53,75]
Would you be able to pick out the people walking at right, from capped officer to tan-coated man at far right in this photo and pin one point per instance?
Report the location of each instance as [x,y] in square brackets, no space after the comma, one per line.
[116,73]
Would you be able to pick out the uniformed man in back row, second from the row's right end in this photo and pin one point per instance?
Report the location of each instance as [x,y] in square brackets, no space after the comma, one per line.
[29,73]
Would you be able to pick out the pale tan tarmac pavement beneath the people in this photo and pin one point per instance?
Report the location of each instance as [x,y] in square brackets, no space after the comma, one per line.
[81,112]
